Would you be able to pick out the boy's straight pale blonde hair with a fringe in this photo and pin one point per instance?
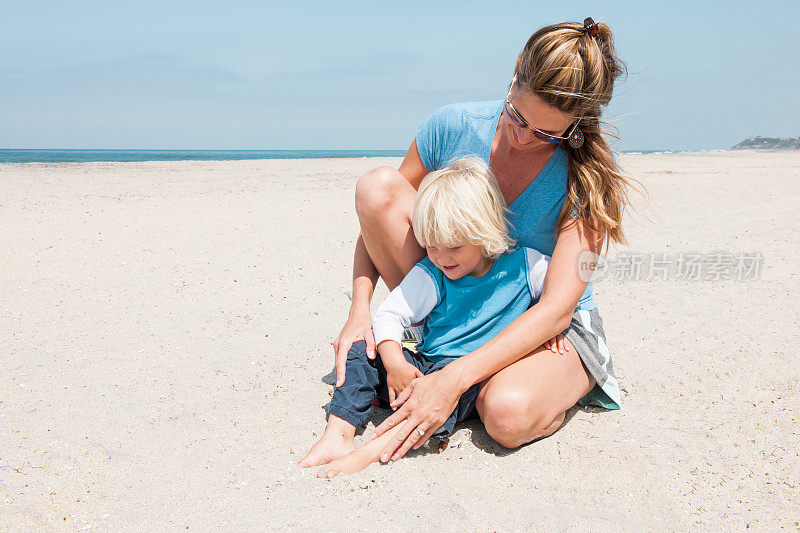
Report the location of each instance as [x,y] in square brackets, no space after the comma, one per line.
[462,204]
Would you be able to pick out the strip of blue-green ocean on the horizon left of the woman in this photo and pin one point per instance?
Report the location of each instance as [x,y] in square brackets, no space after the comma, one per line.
[86,156]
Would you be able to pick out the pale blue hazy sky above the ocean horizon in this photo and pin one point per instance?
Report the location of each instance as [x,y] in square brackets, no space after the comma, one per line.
[361,75]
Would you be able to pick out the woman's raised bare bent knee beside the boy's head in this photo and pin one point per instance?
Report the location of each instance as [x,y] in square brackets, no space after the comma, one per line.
[384,199]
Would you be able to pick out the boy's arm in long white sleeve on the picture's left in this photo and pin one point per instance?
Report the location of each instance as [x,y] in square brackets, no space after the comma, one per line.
[407,304]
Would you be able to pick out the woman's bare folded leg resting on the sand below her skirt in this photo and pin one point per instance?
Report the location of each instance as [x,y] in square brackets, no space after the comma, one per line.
[529,398]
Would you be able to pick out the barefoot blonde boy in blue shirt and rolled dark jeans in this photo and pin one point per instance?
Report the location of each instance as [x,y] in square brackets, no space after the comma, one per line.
[473,283]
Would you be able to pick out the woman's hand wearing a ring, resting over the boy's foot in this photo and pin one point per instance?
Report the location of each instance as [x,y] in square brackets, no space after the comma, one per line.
[426,404]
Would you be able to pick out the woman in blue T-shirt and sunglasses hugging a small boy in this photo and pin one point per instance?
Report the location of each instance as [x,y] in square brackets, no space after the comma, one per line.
[567,195]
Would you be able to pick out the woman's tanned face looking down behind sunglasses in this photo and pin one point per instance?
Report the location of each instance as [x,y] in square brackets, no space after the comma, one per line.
[536,113]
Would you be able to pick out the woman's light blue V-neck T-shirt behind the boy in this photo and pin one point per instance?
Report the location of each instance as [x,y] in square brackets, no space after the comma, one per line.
[467,129]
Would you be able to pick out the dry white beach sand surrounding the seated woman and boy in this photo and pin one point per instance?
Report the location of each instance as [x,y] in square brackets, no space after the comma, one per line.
[165,360]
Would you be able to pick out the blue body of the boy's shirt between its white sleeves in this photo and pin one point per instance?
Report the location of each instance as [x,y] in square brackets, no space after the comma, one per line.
[472,310]
